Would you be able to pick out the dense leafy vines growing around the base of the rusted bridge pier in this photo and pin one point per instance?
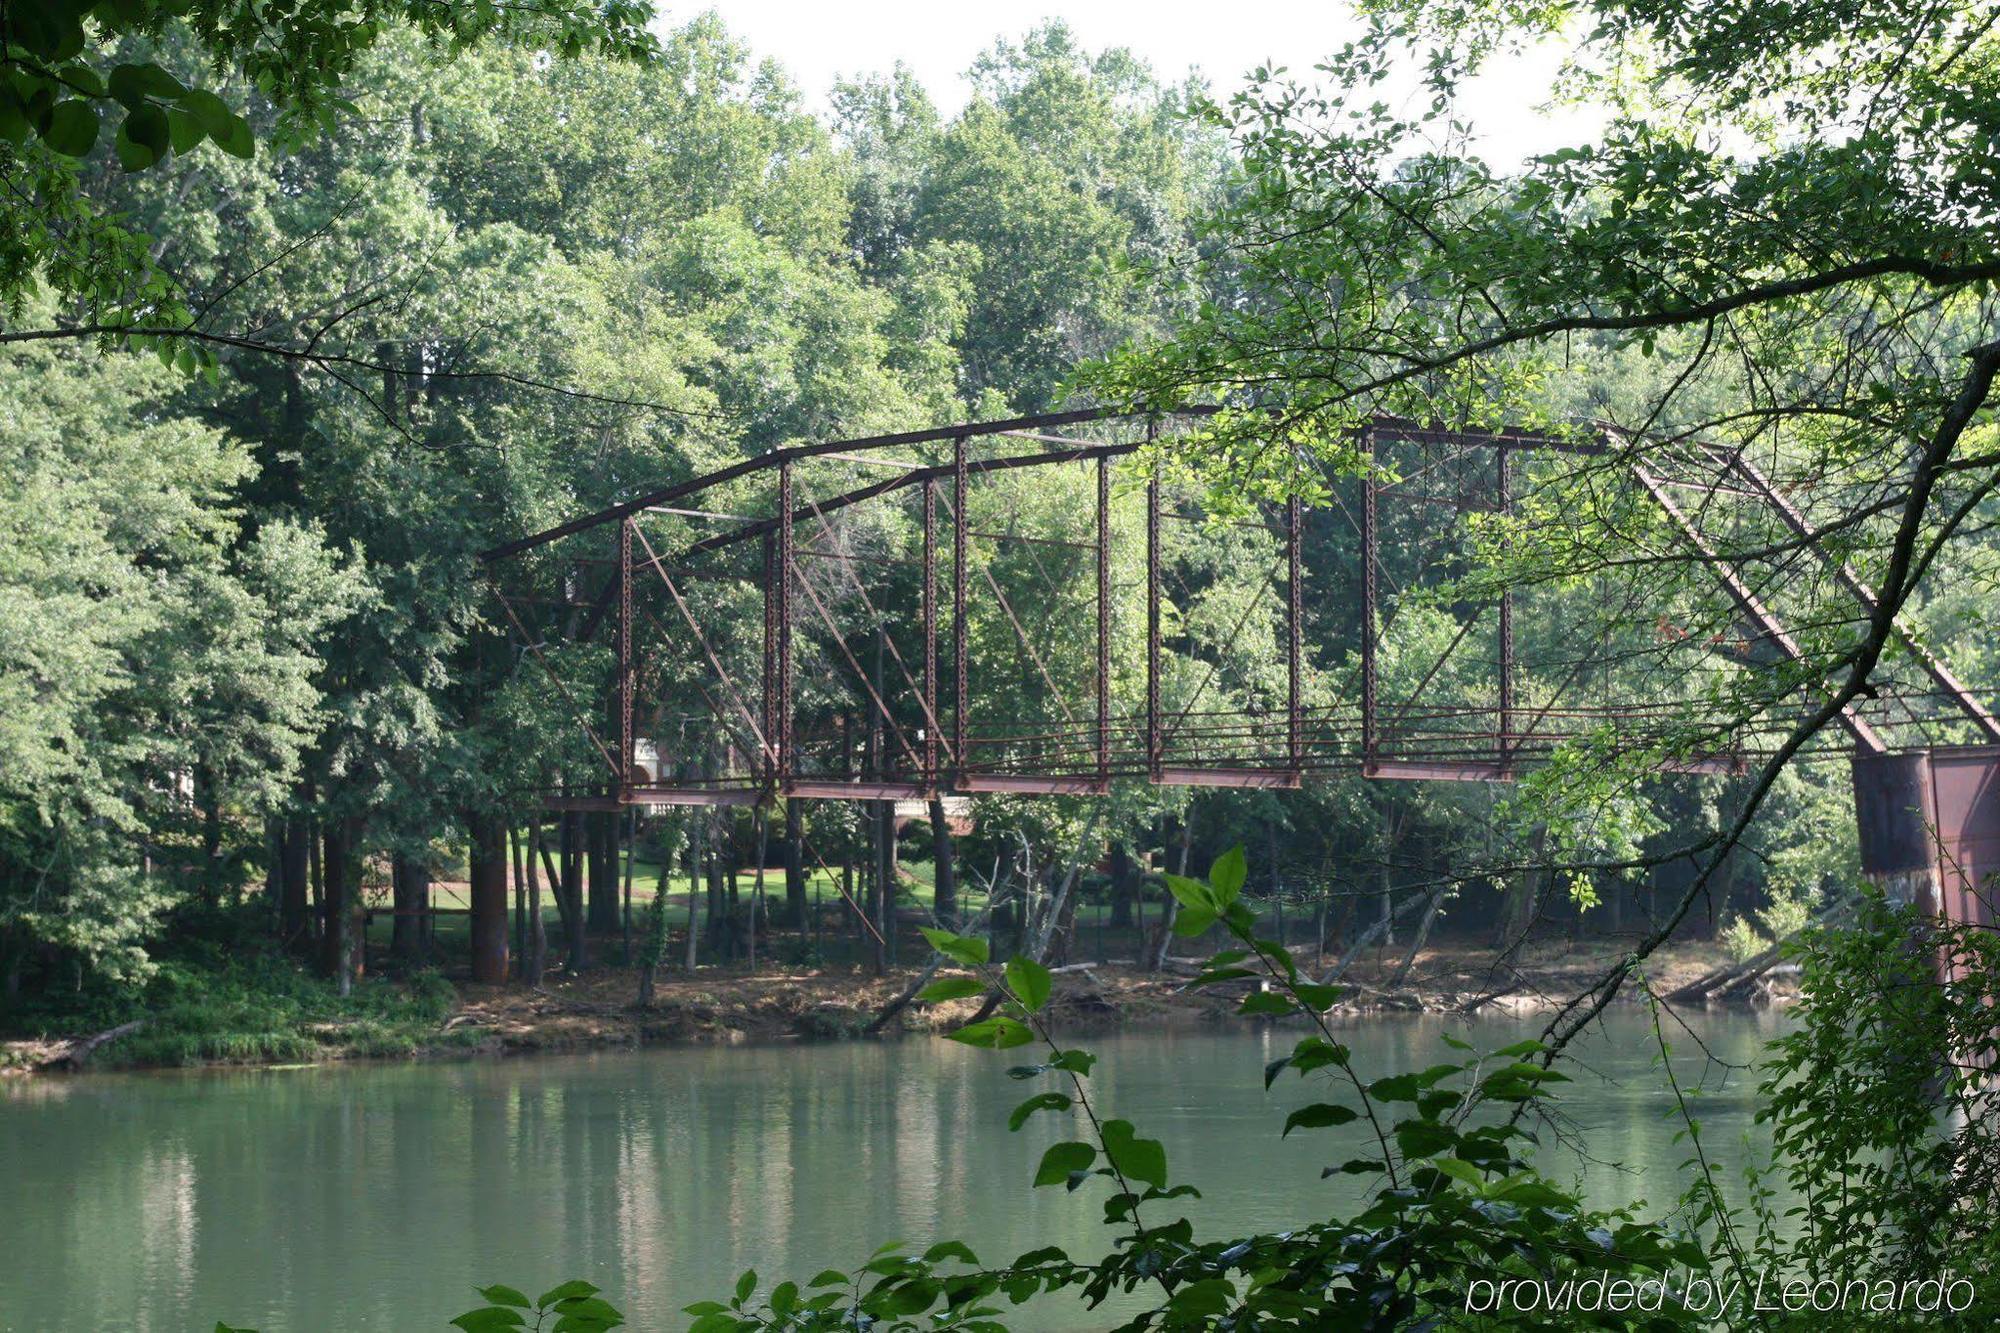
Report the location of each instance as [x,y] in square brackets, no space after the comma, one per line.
[1881,1104]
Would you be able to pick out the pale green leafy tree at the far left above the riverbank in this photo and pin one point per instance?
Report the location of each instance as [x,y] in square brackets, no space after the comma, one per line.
[157,659]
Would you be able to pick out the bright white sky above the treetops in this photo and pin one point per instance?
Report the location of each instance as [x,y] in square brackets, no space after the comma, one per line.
[819,43]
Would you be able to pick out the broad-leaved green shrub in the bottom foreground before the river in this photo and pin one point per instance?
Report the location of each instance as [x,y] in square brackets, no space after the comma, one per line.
[1455,1196]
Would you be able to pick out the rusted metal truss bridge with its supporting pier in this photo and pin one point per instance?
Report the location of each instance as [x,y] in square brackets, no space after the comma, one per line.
[879,619]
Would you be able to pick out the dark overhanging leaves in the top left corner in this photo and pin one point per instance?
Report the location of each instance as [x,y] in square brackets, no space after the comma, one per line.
[69,69]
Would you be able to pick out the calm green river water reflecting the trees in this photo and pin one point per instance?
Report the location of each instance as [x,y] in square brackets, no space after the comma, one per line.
[353,1198]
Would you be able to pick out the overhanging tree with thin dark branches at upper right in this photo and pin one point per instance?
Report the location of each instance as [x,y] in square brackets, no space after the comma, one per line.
[1789,223]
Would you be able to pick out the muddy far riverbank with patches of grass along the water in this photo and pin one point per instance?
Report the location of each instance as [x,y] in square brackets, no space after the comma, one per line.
[275,1014]
